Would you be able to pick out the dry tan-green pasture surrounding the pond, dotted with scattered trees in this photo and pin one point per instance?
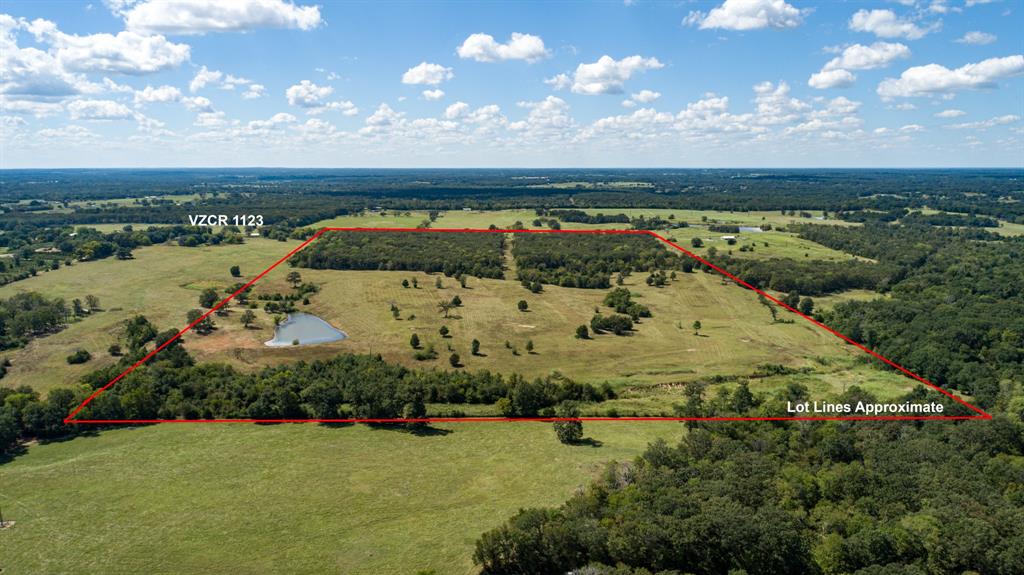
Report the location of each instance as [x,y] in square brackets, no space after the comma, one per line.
[737,336]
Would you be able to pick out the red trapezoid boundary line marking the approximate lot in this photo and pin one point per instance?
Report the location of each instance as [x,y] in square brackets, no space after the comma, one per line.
[980,415]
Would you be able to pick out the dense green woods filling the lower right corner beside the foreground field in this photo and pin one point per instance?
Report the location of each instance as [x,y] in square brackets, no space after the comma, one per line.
[758,498]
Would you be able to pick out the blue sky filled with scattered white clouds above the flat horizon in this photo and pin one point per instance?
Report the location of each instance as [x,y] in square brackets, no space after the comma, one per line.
[685,84]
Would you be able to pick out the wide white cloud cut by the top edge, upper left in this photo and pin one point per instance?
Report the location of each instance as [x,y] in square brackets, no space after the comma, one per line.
[200,17]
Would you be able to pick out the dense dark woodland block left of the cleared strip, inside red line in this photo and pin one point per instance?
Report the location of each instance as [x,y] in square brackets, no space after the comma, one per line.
[452,254]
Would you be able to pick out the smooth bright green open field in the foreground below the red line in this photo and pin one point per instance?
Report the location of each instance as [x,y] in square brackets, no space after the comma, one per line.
[290,499]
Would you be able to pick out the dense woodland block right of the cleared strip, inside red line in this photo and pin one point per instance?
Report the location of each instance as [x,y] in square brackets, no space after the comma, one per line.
[587,260]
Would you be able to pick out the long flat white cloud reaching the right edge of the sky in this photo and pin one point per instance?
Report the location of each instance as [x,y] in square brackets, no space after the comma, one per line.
[933,79]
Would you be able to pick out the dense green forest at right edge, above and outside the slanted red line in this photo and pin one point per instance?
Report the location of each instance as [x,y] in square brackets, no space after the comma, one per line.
[956,315]
